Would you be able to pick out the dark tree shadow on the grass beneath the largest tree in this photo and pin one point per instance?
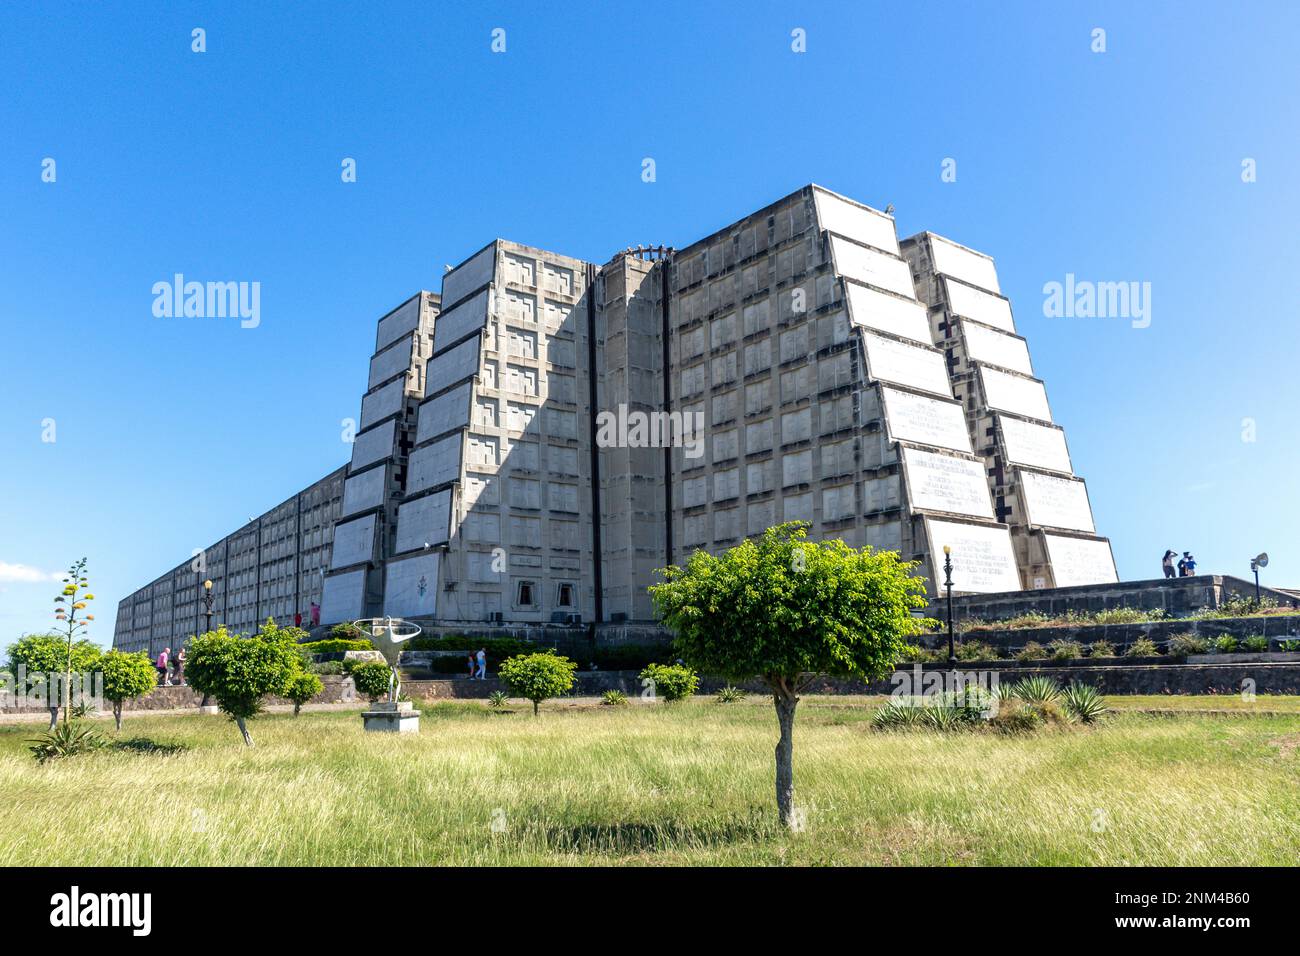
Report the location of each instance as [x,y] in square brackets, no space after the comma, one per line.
[651,838]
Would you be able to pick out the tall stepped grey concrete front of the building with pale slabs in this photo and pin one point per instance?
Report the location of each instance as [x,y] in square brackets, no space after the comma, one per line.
[545,434]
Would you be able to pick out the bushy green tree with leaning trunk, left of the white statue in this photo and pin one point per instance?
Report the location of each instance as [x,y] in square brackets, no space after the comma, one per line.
[239,672]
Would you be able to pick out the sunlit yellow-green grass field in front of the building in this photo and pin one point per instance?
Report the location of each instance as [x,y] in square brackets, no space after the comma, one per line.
[688,784]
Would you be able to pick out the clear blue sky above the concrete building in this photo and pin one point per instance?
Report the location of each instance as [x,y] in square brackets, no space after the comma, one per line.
[1124,166]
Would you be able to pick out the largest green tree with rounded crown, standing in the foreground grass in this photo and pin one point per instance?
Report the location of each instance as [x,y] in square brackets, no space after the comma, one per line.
[786,611]
